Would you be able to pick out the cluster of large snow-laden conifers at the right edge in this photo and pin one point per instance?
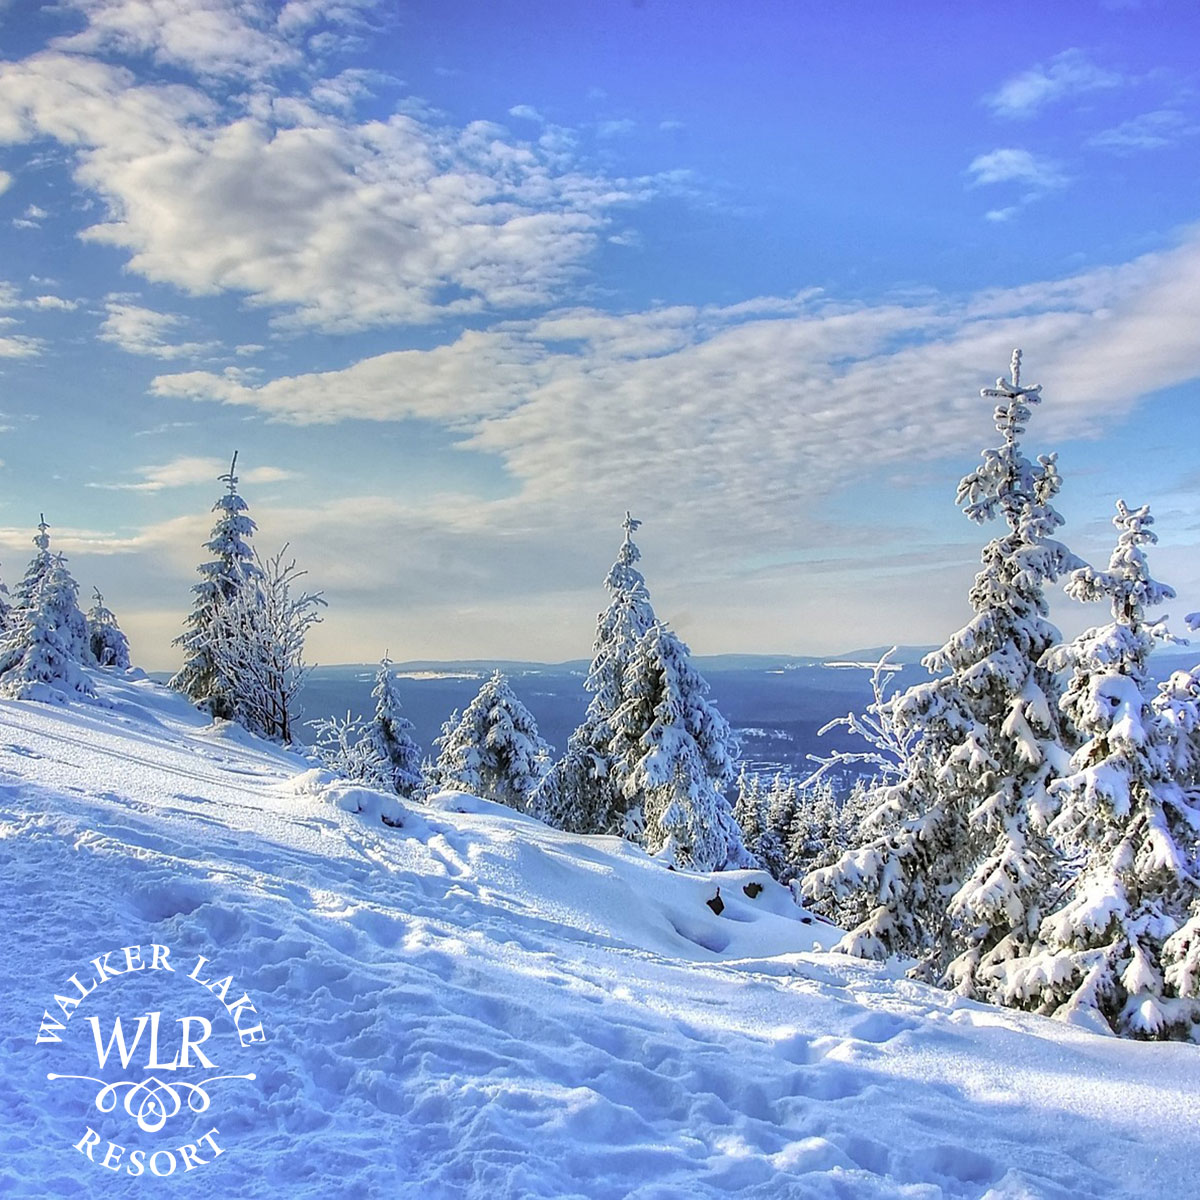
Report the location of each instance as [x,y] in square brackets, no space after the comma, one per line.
[1036,841]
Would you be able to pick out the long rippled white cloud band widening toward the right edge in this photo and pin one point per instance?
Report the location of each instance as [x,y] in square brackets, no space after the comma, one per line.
[729,423]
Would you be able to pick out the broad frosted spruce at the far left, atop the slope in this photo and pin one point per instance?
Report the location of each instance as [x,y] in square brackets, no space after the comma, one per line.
[41,650]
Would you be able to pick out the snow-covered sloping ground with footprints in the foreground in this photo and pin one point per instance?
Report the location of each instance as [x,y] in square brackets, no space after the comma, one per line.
[471,1004]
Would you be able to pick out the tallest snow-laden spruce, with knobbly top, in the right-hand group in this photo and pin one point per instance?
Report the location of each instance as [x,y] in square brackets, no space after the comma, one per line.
[956,863]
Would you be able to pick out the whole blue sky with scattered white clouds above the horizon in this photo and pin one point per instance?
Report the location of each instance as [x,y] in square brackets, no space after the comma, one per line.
[463,283]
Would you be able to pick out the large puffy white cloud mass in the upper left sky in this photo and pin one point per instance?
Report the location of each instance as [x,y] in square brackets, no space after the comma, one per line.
[344,225]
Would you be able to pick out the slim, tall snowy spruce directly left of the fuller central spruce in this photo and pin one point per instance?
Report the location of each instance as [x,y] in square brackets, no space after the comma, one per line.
[585,791]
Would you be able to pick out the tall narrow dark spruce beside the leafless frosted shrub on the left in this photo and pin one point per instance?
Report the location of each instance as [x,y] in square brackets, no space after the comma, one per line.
[231,568]
